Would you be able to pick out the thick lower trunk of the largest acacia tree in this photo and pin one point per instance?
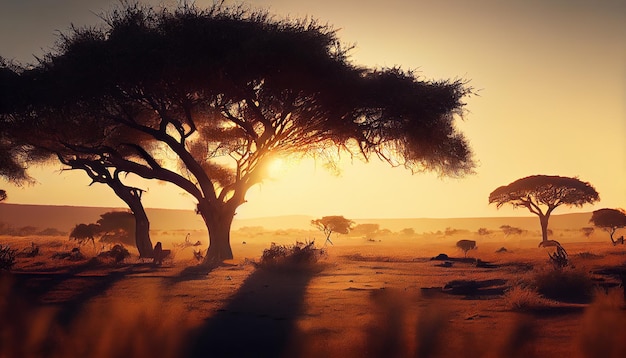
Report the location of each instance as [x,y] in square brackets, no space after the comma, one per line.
[218,221]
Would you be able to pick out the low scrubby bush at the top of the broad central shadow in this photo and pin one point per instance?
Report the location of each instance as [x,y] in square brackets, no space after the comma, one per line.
[300,254]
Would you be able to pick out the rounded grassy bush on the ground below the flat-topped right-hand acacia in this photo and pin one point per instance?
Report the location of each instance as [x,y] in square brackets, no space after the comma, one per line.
[566,285]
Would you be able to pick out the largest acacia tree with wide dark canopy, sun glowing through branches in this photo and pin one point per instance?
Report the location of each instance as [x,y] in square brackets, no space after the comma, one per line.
[216,94]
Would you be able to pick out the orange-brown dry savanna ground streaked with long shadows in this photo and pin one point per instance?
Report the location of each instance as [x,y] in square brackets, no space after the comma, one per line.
[382,297]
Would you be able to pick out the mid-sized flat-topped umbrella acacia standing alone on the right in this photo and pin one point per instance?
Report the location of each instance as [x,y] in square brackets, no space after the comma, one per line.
[541,194]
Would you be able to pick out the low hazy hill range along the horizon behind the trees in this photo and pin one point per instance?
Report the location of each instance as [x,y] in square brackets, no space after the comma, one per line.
[64,218]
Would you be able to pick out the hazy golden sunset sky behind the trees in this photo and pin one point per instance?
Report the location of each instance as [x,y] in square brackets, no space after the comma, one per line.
[551,77]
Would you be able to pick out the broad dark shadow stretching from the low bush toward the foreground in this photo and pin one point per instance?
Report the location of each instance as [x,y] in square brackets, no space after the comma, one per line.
[259,320]
